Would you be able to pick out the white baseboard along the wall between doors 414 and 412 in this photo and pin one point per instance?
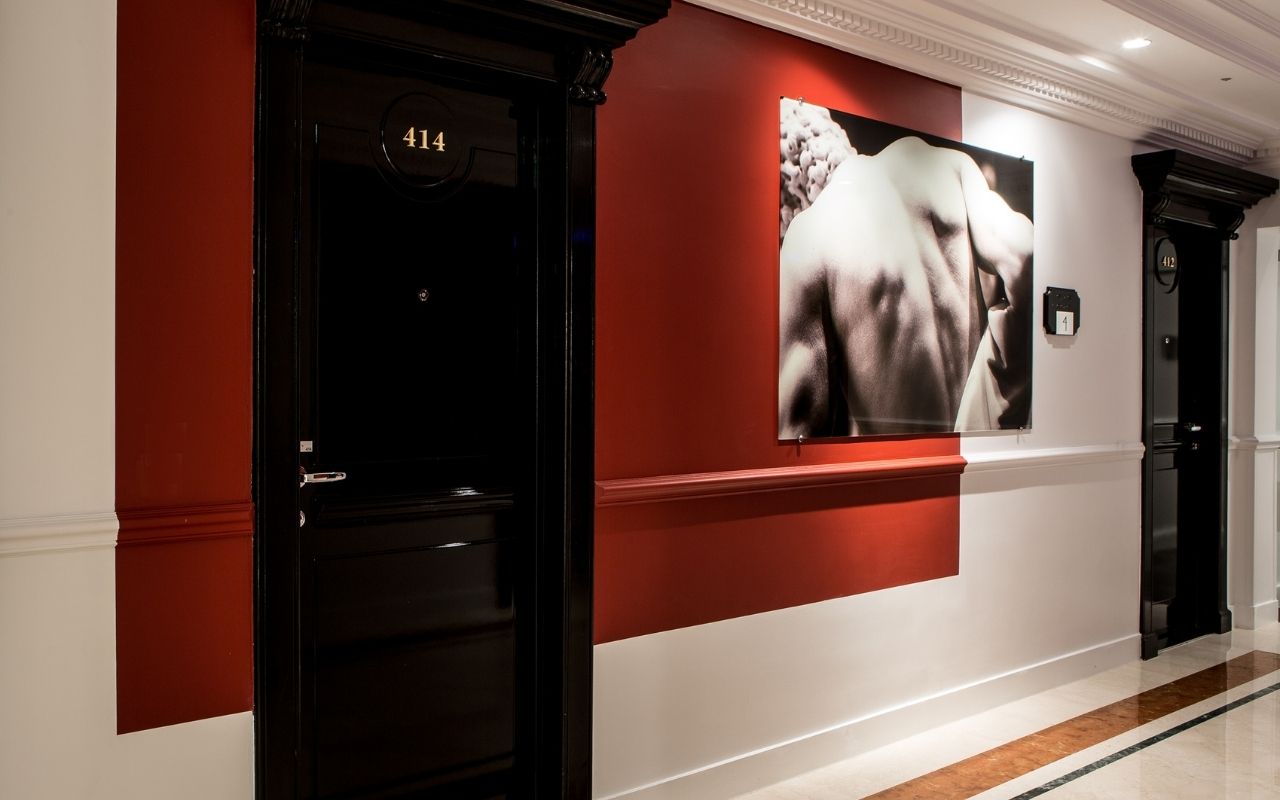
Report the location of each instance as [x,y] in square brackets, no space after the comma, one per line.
[760,769]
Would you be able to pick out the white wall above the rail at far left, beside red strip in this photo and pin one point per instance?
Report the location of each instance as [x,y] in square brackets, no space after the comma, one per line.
[57,258]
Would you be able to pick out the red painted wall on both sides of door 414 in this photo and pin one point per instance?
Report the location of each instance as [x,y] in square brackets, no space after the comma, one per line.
[687,348]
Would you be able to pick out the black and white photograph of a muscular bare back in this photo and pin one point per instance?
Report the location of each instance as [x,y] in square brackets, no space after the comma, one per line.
[904,281]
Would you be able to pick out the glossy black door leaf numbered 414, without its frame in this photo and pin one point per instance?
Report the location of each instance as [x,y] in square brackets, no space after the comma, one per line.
[415,385]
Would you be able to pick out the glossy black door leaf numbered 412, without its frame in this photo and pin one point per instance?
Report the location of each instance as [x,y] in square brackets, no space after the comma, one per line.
[1186,404]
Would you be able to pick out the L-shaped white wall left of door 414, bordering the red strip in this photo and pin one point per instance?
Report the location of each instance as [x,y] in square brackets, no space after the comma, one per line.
[57,435]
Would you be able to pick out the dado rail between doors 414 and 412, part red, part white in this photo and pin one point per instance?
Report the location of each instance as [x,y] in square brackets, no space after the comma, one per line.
[666,488]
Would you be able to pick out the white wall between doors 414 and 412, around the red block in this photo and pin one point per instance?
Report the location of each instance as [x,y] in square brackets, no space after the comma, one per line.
[1050,541]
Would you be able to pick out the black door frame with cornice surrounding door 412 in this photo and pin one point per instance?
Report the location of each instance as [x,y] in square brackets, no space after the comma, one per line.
[1183,190]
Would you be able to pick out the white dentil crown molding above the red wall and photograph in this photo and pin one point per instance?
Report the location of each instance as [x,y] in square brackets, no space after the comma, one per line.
[985,68]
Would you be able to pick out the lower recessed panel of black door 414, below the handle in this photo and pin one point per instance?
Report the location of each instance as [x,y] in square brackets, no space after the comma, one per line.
[415,657]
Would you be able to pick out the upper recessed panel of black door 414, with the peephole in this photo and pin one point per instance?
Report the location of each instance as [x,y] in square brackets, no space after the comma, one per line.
[415,286]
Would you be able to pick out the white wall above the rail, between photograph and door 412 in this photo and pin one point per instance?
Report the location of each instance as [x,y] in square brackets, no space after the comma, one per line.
[1086,390]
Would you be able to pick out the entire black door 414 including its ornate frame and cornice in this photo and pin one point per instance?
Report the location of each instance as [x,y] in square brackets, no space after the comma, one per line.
[424,395]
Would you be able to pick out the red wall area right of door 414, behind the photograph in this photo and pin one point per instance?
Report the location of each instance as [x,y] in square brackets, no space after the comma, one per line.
[687,337]
